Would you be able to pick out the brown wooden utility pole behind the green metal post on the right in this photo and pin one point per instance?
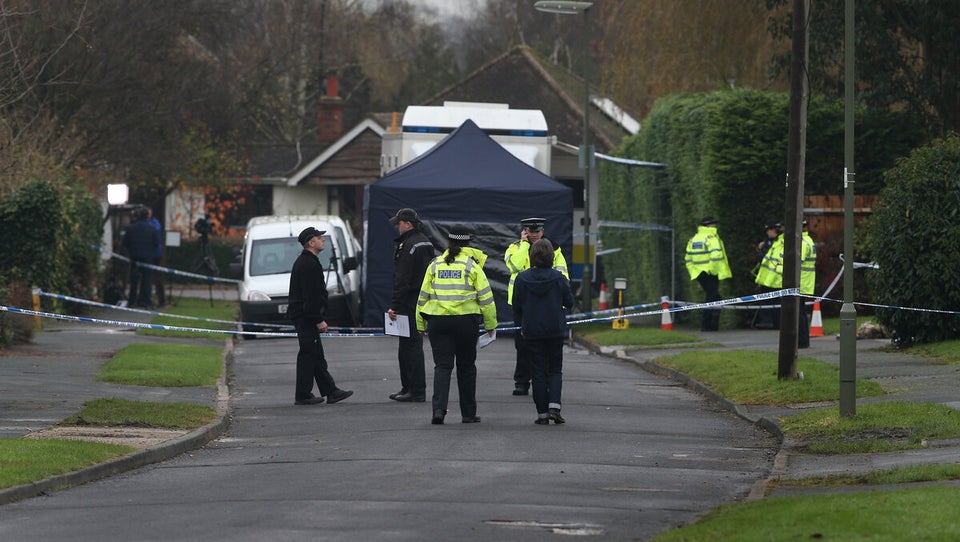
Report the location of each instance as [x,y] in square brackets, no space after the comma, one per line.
[793,211]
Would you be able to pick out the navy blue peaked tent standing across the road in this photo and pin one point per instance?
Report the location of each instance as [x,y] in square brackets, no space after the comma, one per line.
[466,179]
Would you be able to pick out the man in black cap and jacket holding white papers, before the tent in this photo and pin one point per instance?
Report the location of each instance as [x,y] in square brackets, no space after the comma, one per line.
[413,255]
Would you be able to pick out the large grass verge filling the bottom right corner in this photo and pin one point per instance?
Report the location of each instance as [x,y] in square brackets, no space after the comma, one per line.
[927,513]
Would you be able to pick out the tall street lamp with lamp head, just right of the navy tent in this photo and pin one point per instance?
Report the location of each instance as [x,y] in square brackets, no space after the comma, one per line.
[565,7]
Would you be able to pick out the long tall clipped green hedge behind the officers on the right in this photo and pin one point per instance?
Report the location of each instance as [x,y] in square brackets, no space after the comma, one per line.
[726,156]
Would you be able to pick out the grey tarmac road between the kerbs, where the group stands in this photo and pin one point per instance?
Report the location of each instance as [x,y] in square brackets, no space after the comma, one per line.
[639,454]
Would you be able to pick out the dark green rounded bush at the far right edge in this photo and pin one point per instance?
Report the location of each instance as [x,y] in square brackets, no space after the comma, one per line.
[914,234]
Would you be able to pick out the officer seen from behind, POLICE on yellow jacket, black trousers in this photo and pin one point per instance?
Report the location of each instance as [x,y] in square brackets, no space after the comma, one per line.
[455,294]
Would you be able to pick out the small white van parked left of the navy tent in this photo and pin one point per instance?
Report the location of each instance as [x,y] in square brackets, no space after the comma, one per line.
[269,249]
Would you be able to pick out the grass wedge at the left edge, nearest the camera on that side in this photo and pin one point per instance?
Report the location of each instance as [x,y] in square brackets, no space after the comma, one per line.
[29,460]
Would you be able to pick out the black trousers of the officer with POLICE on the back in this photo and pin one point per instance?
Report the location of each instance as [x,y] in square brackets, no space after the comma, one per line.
[454,342]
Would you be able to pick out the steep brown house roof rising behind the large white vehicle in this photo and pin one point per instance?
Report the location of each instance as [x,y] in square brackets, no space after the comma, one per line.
[524,80]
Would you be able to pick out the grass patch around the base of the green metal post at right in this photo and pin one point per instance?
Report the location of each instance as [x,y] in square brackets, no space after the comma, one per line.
[878,427]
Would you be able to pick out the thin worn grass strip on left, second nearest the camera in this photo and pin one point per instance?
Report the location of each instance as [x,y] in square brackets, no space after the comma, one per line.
[121,412]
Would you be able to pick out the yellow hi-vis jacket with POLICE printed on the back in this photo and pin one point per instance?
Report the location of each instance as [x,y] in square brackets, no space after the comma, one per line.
[457,288]
